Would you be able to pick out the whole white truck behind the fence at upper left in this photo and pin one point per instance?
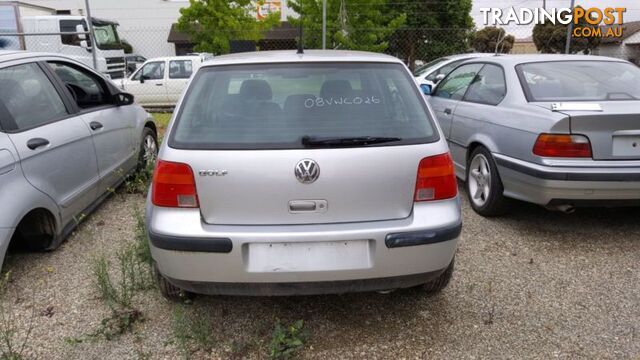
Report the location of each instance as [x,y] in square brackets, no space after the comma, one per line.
[31,20]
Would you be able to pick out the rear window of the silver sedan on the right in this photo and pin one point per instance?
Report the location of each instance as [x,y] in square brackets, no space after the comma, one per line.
[580,81]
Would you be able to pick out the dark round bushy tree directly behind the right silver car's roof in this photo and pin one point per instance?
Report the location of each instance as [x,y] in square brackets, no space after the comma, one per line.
[551,39]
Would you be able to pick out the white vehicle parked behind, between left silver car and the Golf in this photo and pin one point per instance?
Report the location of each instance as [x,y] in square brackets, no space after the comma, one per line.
[161,81]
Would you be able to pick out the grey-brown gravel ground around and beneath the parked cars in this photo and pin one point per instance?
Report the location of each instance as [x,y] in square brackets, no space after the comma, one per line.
[534,284]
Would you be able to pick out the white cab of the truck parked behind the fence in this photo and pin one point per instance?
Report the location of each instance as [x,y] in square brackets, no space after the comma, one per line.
[109,50]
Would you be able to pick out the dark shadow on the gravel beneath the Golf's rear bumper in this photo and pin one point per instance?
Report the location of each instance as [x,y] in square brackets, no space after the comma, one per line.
[334,321]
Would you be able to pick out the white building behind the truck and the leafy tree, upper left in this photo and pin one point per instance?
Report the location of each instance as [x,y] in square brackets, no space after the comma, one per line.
[145,24]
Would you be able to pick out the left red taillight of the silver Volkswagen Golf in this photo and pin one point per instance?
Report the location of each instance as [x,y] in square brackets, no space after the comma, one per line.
[174,185]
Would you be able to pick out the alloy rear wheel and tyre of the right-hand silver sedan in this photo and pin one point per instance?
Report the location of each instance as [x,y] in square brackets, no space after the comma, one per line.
[483,184]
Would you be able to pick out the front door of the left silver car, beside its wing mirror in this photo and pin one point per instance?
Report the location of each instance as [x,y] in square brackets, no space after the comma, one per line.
[112,127]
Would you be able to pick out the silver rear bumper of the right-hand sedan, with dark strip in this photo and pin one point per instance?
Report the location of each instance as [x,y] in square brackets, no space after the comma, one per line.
[605,184]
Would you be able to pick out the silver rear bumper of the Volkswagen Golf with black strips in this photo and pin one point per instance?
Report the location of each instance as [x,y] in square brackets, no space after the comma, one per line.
[216,259]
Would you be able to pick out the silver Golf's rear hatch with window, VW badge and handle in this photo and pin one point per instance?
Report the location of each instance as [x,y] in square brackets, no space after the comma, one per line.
[303,143]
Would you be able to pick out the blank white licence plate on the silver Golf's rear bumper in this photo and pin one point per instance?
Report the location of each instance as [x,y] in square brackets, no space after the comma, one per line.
[309,256]
